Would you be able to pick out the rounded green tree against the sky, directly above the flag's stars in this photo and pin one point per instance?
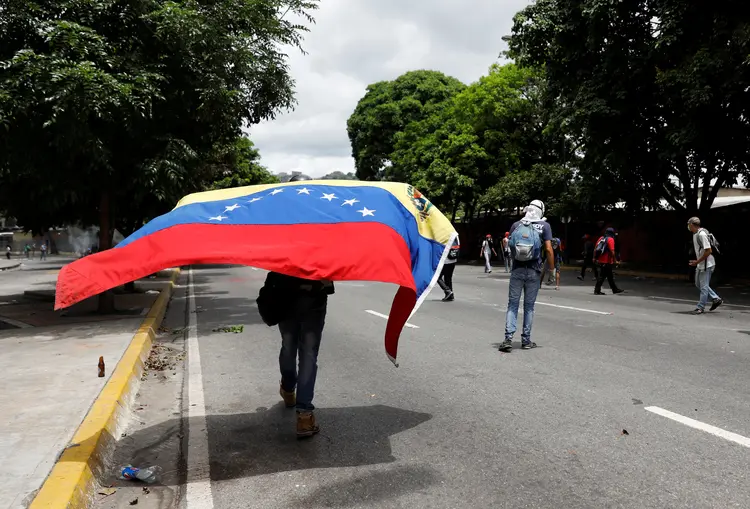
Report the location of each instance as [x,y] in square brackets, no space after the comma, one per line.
[388,108]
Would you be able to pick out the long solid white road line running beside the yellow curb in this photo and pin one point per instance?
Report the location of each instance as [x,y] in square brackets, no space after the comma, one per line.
[198,490]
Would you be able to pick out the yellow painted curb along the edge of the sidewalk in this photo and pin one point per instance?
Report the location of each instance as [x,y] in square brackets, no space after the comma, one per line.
[72,480]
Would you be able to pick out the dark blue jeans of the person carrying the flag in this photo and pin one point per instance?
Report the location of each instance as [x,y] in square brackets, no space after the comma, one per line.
[301,333]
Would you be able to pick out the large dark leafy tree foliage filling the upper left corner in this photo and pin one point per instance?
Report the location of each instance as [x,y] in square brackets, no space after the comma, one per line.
[111,110]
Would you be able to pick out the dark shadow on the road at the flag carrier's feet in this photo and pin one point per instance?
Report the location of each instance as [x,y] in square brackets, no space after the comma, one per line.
[264,442]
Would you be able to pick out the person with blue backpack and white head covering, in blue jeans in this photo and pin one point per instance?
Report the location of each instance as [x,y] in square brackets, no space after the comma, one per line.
[526,277]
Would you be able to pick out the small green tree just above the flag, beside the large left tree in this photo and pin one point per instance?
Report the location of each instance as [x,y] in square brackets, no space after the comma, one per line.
[239,165]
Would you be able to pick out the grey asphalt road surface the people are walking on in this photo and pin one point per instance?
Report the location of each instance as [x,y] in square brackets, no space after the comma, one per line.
[460,424]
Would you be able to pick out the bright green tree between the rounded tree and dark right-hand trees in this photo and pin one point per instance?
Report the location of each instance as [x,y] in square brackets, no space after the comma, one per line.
[497,126]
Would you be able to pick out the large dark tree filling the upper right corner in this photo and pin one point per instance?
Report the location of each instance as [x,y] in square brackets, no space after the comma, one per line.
[655,91]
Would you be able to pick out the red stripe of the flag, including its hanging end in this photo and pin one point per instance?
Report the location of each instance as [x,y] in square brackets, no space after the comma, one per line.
[339,252]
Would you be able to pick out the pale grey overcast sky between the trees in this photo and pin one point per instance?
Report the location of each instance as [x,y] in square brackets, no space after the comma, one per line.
[357,42]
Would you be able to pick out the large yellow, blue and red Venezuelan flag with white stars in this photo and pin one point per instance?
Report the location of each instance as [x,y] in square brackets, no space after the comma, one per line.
[336,230]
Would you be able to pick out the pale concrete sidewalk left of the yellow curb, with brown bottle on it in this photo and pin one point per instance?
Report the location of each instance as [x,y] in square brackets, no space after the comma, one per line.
[48,368]
